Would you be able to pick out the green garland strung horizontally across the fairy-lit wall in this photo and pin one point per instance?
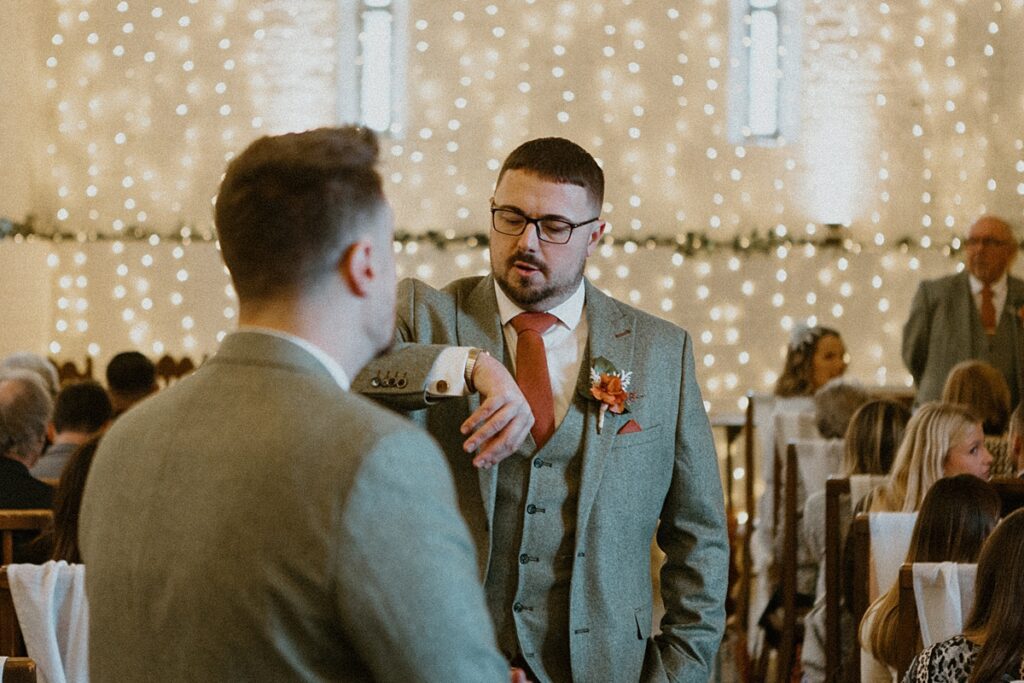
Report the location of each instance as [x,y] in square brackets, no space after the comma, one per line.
[836,240]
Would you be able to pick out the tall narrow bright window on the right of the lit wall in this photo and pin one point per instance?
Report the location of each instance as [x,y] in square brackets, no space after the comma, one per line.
[764,94]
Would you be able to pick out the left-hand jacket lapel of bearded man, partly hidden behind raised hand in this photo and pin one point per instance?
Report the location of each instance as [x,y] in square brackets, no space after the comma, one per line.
[478,325]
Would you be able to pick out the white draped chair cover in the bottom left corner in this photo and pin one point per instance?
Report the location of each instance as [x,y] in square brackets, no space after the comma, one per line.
[54,615]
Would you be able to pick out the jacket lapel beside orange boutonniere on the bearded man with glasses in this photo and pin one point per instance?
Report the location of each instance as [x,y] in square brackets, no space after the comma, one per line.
[611,336]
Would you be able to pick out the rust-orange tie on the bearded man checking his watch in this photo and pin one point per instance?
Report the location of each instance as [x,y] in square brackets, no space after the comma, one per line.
[532,372]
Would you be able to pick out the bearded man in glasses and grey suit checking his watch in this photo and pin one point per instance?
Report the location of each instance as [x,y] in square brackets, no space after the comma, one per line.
[613,446]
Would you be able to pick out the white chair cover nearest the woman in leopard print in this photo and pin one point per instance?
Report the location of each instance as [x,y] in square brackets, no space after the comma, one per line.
[945,594]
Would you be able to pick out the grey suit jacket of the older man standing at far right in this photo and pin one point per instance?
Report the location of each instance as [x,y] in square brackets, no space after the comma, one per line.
[945,328]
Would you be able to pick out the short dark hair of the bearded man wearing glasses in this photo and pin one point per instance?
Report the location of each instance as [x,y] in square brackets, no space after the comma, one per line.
[559,160]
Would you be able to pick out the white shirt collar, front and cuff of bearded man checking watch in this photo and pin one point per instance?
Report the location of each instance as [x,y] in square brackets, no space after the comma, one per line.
[566,344]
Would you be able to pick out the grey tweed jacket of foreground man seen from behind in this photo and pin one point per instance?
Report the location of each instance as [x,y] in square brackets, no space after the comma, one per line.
[255,523]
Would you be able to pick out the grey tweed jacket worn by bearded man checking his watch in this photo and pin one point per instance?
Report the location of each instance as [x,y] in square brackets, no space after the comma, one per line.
[630,482]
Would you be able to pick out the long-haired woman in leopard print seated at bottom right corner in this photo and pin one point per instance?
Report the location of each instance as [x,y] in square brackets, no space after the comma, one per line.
[992,648]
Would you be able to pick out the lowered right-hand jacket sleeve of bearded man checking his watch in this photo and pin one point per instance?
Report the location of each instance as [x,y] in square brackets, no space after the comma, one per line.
[693,535]
